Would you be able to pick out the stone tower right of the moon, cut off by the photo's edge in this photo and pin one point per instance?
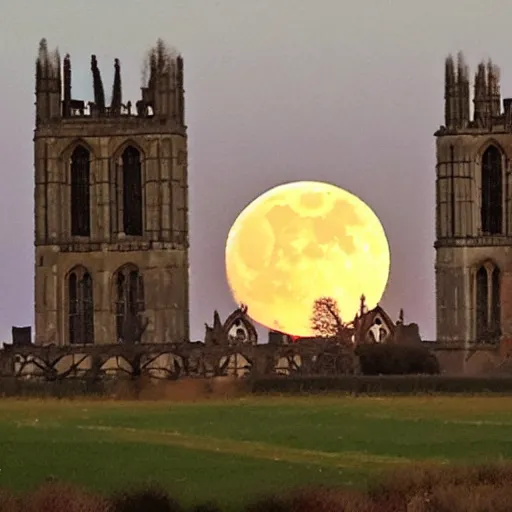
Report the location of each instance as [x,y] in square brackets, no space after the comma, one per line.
[473,209]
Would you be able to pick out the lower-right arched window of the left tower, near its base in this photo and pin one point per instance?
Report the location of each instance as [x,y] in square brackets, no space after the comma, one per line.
[129,304]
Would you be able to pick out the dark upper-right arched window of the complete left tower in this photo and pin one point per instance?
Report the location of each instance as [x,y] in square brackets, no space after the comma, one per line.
[132,192]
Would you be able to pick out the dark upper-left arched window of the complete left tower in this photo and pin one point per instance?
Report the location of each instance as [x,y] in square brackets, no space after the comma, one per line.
[80,194]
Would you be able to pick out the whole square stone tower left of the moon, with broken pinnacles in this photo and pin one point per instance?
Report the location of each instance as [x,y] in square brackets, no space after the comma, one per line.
[111,212]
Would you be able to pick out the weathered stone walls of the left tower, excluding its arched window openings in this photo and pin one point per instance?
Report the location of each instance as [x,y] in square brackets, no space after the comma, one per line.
[159,134]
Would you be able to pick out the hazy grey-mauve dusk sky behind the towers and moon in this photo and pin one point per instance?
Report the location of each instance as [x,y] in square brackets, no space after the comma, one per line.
[276,91]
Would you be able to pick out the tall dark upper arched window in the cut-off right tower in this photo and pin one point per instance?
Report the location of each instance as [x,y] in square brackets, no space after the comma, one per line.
[492,192]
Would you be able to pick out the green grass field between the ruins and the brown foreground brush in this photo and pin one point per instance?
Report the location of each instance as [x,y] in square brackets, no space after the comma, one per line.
[232,450]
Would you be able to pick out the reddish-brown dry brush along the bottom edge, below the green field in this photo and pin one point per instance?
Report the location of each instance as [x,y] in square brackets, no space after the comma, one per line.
[417,489]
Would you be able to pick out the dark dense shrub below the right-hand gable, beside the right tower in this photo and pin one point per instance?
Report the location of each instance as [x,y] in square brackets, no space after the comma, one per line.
[384,359]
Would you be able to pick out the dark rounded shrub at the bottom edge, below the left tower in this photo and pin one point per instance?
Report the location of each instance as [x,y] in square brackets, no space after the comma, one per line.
[152,499]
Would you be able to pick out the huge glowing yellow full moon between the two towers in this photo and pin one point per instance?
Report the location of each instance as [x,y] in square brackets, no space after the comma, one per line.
[301,241]
